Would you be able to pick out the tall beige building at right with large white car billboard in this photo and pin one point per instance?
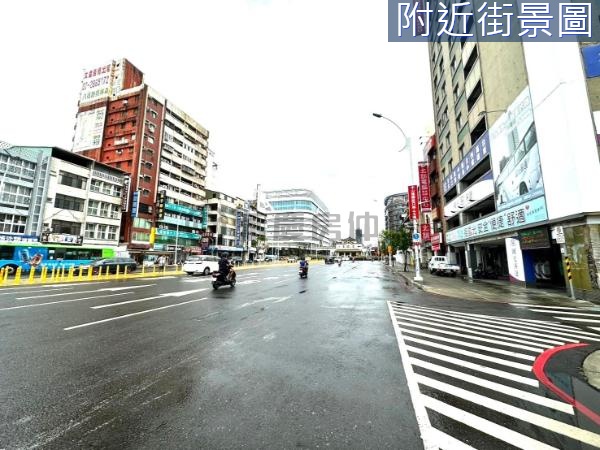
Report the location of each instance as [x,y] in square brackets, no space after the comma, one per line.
[518,152]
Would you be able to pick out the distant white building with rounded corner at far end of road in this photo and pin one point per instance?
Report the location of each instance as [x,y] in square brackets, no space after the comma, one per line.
[298,221]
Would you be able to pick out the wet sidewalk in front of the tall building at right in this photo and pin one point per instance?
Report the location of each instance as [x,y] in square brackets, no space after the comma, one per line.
[485,290]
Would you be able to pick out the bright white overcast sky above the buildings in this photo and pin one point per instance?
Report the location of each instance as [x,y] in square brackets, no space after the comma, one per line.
[285,87]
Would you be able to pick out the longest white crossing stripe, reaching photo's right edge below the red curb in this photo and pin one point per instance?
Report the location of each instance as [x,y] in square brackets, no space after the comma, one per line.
[536,419]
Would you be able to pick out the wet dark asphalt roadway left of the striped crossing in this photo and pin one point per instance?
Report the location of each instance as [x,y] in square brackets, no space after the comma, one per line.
[276,362]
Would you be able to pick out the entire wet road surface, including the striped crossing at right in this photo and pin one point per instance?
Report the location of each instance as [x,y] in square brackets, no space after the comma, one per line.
[348,358]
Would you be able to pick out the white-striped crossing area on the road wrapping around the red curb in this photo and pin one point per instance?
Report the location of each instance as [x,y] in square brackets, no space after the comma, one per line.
[472,384]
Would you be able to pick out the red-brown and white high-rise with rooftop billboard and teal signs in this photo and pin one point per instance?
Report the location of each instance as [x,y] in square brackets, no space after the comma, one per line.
[123,122]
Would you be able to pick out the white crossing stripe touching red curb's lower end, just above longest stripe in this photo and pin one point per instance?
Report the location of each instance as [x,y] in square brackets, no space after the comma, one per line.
[498,387]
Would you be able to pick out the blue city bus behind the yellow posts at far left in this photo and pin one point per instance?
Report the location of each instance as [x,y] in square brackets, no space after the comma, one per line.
[32,254]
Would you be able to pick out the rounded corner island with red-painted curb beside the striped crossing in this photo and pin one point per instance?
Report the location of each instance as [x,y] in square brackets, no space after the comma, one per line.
[572,373]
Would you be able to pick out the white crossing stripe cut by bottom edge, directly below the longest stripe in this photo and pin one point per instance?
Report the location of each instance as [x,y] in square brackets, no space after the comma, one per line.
[485,426]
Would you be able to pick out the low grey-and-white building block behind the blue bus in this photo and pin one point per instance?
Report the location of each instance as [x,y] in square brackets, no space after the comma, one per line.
[48,194]
